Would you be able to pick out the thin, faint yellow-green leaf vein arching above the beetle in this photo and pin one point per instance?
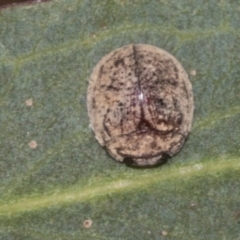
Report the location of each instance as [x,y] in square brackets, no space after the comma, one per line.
[90,40]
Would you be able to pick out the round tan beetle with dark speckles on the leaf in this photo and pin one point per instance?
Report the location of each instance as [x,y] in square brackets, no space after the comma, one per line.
[140,104]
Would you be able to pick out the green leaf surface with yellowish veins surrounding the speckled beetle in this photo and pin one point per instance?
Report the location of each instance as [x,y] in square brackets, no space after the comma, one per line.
[54,175]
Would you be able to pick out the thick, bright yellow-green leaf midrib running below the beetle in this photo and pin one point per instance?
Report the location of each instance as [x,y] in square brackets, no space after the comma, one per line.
[123,183]
